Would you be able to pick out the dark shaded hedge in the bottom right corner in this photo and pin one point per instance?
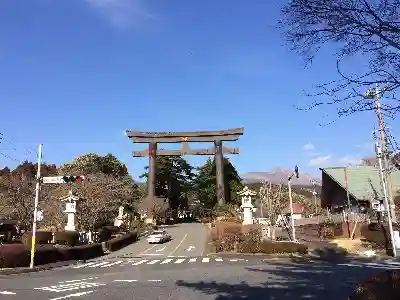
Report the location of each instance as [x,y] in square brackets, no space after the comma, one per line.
[385,285]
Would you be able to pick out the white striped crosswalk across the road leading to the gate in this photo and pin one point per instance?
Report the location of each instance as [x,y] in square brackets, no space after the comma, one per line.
[160,261]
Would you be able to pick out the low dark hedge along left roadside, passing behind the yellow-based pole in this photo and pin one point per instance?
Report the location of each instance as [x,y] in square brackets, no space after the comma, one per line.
[18,255]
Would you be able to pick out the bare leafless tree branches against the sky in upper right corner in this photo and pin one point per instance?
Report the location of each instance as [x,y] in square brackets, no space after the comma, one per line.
[357,28]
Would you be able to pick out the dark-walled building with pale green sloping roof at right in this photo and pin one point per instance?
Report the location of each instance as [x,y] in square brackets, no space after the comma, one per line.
[362,182]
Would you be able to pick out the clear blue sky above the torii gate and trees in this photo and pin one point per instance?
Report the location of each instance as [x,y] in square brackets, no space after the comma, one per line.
[75,74]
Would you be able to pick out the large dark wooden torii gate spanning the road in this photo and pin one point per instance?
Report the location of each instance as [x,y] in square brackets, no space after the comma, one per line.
[154,138]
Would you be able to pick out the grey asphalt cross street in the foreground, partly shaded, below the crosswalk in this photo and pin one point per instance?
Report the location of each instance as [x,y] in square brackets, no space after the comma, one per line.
[252,279]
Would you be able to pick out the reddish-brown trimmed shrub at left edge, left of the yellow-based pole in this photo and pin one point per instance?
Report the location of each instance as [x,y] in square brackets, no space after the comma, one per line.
[14,255]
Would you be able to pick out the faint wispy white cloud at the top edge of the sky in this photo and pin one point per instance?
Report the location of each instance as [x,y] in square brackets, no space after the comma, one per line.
[121,13]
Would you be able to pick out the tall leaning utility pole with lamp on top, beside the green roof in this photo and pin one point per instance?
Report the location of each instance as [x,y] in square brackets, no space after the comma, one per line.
[376,95]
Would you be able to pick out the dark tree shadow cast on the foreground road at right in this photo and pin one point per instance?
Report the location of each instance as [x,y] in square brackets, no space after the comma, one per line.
[292,281]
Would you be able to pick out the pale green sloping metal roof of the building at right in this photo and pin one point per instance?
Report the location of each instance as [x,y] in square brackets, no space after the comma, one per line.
[363,181]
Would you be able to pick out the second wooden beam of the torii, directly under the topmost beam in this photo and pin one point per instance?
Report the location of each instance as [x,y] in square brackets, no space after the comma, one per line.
[145,140]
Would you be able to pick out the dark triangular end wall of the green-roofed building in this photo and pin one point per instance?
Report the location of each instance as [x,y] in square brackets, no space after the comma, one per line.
[332,194]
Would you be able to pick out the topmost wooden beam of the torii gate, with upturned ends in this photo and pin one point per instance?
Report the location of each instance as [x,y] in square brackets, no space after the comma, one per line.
[144,134]
